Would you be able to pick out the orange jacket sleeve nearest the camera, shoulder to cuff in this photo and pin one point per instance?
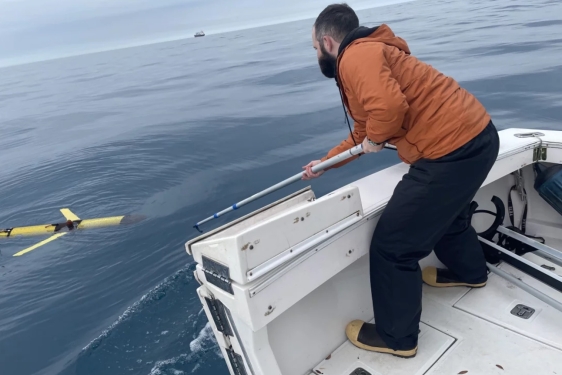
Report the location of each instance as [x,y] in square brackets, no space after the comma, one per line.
[365,71]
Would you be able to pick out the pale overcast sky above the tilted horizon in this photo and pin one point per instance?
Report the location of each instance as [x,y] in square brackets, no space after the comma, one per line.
[33,30]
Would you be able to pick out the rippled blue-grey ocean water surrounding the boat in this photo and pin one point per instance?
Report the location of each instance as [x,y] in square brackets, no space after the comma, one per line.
[179,130]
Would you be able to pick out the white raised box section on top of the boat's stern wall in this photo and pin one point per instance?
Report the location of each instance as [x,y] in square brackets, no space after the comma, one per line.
[234,250]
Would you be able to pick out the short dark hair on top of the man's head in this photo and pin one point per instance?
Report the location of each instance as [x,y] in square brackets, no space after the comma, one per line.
[336,20]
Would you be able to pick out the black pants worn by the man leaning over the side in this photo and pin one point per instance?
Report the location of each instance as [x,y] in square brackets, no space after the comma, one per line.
[429,210]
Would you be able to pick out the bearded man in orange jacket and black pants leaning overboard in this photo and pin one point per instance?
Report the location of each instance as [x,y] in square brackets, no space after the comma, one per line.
[446,135]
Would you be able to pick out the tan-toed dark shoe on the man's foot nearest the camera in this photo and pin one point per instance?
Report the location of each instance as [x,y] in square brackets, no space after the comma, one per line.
[365,336]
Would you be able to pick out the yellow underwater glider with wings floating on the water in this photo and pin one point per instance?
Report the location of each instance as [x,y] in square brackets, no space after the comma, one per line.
[72,222]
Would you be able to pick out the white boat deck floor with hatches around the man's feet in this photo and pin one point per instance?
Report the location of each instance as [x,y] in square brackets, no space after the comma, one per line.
[470,331]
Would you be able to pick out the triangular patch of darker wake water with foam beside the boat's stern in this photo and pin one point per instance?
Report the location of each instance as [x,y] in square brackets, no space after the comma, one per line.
[167,322]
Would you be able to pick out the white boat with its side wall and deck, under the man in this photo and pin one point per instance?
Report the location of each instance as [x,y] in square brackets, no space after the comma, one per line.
[290,317]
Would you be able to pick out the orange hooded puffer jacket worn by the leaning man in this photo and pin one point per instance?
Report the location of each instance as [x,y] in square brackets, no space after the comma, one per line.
[394,97]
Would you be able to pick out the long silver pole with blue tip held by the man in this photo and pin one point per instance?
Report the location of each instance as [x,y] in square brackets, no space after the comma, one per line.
[318,167]
